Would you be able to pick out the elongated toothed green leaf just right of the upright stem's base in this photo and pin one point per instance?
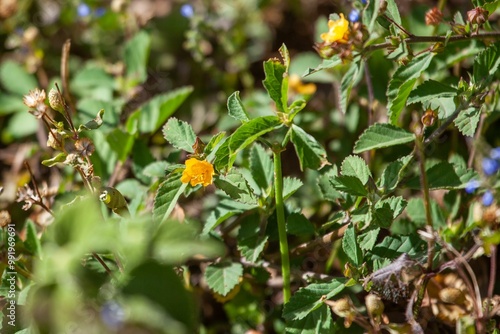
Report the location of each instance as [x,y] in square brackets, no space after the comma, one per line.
[310,298]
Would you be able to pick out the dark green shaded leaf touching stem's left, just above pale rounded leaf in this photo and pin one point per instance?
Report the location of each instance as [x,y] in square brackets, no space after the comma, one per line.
[251,240]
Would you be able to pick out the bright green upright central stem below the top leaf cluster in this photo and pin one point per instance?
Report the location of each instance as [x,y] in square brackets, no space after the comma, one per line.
[280,214]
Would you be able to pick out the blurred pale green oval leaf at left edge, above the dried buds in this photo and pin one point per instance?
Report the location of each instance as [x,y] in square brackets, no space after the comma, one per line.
[16,79]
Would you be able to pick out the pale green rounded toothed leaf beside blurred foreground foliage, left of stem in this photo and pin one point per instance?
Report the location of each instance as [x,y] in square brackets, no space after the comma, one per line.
[222,277]
